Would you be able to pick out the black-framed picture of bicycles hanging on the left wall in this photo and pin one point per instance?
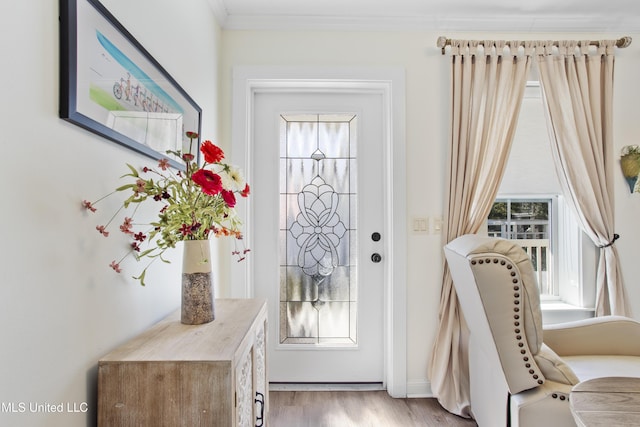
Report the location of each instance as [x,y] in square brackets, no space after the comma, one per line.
[111,85]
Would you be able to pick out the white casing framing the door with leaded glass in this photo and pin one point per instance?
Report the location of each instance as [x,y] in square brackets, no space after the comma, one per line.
[247,82]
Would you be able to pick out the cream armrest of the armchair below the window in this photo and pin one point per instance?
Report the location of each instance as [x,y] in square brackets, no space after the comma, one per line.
[607,335]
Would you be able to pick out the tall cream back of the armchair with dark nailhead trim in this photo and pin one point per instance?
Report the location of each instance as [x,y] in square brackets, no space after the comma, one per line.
[497,291]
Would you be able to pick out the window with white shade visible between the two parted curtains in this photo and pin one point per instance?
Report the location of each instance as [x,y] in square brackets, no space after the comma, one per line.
[530,208]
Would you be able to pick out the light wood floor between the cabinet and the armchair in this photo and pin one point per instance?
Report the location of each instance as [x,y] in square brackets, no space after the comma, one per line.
[356,408]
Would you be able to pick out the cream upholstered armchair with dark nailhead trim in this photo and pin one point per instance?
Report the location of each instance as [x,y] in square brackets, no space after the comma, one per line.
[520,374]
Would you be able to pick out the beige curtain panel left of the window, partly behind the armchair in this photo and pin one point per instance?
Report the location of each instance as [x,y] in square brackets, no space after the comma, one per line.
[487,86]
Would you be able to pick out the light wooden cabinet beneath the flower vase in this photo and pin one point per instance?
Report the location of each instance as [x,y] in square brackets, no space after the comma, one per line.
[180,375]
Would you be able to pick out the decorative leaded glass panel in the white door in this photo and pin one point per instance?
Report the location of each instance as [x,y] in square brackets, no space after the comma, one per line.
[318,250]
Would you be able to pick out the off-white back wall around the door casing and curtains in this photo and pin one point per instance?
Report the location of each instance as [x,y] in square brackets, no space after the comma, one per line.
[427,114]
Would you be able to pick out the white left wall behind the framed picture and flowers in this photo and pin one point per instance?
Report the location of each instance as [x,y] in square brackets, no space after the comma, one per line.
[61,306]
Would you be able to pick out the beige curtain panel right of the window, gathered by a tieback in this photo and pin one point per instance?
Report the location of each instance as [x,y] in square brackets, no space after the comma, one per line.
[578,89]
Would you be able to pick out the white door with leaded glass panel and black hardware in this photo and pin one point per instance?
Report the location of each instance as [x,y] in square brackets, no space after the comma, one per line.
[318,202]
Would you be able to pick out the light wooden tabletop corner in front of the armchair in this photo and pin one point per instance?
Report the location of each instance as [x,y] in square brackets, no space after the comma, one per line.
[608,402]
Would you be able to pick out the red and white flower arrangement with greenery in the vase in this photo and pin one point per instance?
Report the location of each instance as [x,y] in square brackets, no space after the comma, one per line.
[193,204]
